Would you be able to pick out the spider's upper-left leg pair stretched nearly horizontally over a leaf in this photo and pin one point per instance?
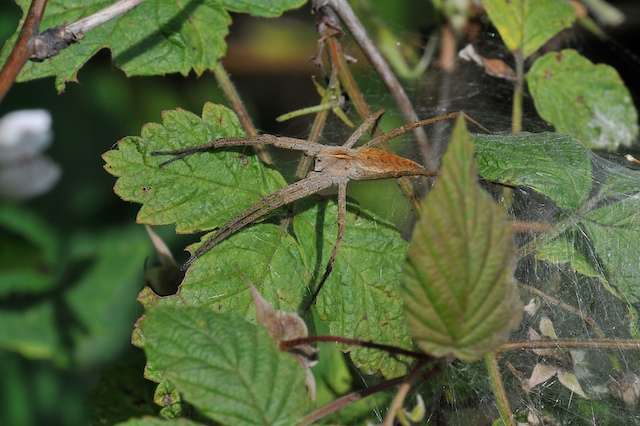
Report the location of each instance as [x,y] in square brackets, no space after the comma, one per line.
[309,148]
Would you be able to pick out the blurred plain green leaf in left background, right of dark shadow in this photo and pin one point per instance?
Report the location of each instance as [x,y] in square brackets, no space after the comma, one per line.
[108,283]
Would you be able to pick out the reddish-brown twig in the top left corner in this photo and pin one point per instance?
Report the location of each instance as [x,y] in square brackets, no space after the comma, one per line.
[24,47]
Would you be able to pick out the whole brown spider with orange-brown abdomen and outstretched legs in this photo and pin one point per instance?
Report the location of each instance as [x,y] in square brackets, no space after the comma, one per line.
[334,166]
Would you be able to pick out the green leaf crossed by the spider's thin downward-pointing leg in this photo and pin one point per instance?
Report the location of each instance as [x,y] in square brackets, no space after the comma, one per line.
[361,298]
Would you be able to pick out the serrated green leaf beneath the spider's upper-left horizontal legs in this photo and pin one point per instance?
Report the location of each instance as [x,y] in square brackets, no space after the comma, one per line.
[200,192]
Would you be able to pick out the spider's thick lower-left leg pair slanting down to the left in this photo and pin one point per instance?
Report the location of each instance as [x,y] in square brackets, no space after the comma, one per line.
[286,195]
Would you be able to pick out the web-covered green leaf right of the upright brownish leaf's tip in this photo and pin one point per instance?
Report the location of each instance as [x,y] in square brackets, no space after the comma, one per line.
[557,166]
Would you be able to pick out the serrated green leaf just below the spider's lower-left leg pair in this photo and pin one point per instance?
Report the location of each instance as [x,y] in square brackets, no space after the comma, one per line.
[266,254]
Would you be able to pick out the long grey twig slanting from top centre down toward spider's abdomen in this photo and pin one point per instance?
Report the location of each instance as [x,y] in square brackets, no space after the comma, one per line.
[359,34]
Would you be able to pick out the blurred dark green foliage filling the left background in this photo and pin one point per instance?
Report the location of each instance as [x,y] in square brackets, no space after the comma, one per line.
[52,343]
